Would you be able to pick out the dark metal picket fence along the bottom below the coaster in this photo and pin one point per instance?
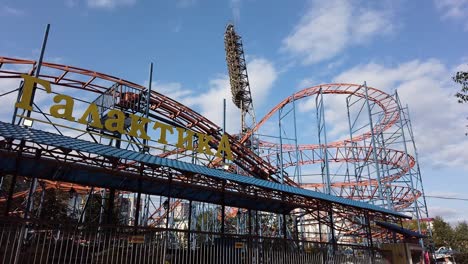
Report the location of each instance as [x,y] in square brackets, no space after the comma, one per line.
[22,242]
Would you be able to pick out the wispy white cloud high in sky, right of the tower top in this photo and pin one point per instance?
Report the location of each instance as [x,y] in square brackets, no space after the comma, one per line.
[328,27]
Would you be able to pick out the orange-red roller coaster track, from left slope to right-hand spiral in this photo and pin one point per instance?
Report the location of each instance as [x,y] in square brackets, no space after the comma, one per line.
[252,164]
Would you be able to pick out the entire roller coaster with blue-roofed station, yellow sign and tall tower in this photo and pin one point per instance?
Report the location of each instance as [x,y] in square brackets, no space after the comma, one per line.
[133,157]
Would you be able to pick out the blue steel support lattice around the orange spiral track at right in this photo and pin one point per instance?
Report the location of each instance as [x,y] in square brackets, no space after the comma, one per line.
[378,160]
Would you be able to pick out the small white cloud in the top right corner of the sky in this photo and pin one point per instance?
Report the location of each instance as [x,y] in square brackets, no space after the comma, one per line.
[453,9]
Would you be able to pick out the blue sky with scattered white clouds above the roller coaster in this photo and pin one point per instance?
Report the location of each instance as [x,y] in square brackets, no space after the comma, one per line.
[412,46]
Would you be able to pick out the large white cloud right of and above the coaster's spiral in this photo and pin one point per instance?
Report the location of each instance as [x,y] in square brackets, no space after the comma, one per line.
[437,119]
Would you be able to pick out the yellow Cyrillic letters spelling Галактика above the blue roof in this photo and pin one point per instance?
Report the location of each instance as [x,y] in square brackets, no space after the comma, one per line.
[121,122]
